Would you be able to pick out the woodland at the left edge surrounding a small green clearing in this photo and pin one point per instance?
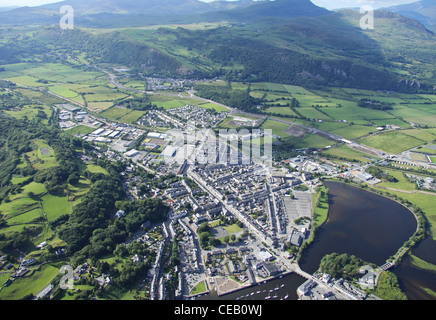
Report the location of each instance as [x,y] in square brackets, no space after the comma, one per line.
[16,139]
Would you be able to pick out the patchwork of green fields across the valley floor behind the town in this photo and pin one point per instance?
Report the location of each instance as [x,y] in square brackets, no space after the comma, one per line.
[333,110]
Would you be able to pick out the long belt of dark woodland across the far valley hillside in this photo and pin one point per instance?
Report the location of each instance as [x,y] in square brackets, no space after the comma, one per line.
[221,52]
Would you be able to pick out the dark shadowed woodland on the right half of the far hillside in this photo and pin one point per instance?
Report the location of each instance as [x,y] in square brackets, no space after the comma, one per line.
[253,60]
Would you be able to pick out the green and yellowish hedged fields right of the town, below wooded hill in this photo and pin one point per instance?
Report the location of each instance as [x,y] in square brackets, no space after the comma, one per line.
[336,110]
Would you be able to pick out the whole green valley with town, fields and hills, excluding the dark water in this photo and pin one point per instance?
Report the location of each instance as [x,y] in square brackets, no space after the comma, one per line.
[112,140]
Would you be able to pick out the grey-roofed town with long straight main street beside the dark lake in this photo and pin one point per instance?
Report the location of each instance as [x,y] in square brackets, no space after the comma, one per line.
[233,221]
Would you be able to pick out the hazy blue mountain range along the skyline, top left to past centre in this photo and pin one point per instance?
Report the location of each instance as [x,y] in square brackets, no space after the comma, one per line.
[130,13]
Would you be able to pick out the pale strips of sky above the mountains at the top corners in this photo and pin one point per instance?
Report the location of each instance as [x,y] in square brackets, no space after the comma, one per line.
[329,4]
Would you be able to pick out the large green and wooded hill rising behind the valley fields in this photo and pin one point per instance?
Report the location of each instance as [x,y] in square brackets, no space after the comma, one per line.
[326,50]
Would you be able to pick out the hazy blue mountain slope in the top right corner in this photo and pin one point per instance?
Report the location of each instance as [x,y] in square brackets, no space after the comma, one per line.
[424,11]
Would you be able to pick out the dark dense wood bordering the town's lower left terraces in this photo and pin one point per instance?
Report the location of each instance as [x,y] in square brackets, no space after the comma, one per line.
[101,234]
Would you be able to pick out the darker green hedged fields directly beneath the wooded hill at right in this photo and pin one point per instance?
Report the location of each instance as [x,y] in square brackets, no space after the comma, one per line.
[336,104]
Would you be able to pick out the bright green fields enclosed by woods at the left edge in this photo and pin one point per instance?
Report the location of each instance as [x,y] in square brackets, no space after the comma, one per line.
[31,205]
